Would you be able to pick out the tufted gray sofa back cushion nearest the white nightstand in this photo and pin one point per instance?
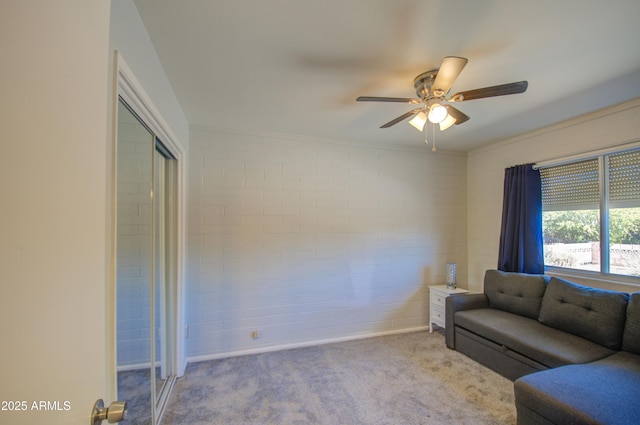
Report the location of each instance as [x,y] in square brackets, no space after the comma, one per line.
[518,293]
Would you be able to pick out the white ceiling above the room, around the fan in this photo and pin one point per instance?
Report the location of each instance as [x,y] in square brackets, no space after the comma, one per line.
[296,66]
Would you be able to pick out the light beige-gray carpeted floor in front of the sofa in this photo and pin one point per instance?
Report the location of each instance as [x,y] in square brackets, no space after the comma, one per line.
[400,379]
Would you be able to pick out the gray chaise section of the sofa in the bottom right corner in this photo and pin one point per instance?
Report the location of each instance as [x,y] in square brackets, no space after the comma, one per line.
[603,392]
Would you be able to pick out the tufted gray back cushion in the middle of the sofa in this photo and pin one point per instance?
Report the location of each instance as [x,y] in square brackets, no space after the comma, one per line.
[595,314]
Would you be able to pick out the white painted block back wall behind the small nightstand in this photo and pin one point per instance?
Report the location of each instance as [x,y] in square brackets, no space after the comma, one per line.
[309,241]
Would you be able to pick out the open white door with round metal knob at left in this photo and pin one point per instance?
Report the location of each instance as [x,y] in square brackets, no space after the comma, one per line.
[53,244]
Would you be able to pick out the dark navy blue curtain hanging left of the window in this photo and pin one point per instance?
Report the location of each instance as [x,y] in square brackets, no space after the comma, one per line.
[521,248]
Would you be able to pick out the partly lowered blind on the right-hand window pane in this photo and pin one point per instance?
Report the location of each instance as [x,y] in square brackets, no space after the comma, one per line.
[624,179]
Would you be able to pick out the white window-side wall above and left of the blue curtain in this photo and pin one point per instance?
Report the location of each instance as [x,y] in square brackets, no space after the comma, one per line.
[606,128]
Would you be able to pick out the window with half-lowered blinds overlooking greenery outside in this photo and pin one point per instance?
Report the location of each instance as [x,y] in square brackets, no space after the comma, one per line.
[591,214]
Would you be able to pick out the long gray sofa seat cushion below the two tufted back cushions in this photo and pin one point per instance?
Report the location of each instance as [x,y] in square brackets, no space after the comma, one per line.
[548,346]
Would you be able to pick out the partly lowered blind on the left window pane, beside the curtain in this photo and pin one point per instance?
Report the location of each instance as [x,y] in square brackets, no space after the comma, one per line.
[574,186]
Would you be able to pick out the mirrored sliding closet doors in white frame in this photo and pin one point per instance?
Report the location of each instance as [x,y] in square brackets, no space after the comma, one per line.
[145,268]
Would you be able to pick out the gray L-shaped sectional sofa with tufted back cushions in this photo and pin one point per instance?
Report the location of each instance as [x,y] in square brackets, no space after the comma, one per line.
[573,351]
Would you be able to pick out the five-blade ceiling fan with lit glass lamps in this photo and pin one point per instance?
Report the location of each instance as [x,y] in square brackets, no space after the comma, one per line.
[432,87]
